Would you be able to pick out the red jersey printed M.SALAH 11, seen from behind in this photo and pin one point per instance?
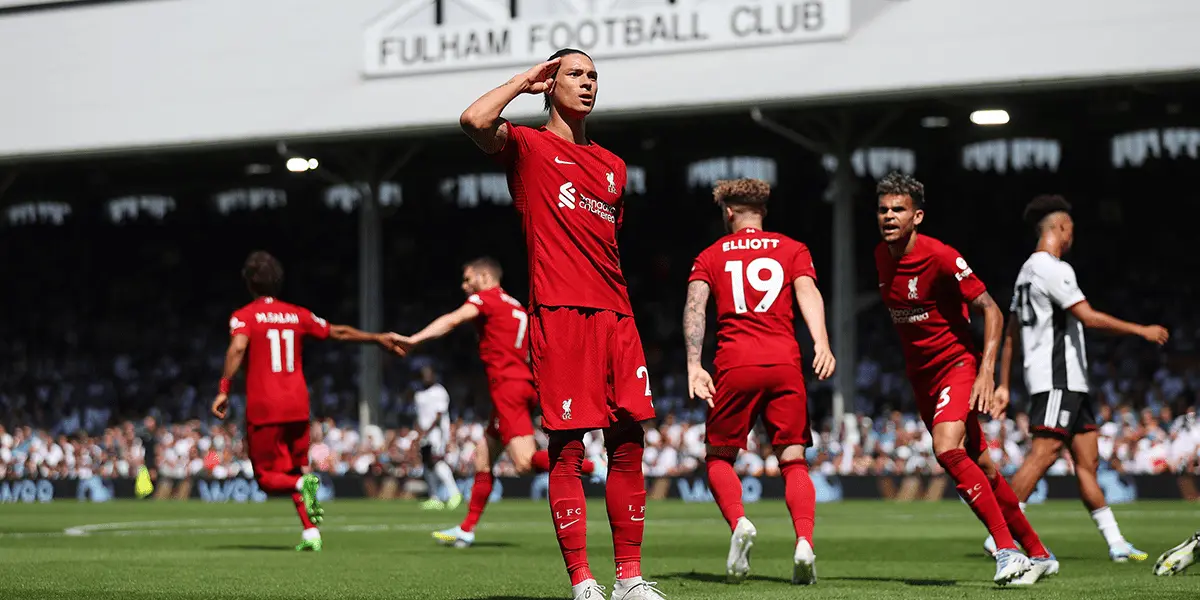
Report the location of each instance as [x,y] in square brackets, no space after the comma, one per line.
[275,387]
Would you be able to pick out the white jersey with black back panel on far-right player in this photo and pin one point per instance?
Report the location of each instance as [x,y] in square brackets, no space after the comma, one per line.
[1052,338]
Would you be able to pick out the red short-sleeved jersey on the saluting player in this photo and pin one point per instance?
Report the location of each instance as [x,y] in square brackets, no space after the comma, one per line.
[571,201]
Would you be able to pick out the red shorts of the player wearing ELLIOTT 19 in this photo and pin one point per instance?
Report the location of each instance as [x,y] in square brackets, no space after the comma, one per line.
[775,392]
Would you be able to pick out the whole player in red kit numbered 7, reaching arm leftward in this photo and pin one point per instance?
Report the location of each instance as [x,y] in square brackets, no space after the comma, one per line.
[503,327]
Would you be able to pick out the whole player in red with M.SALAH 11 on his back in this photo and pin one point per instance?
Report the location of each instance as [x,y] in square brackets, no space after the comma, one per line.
[268,335]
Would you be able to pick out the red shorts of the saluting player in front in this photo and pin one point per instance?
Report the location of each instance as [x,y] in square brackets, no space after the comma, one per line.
[590,369]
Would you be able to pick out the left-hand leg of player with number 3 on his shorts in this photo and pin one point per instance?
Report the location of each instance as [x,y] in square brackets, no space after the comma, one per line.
[946,407]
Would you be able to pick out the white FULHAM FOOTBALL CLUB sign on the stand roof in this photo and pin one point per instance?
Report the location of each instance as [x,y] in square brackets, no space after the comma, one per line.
[499,33]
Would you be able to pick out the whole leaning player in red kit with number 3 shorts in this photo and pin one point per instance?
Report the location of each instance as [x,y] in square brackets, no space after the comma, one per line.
[931,290]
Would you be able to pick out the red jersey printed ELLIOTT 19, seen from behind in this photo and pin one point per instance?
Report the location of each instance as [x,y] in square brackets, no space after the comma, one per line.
[752,274]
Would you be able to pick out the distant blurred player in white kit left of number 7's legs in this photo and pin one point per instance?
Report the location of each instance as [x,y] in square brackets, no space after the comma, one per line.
[434,427]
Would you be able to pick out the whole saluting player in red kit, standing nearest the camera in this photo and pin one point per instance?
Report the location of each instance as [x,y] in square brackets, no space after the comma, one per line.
[587,358]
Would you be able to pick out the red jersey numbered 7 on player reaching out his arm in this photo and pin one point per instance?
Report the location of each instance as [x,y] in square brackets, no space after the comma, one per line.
[503,335]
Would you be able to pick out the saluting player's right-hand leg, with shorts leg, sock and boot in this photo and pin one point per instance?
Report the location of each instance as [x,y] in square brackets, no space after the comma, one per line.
[632,411]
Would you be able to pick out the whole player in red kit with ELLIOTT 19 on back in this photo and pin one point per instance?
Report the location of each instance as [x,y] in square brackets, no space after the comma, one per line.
[753,275]
